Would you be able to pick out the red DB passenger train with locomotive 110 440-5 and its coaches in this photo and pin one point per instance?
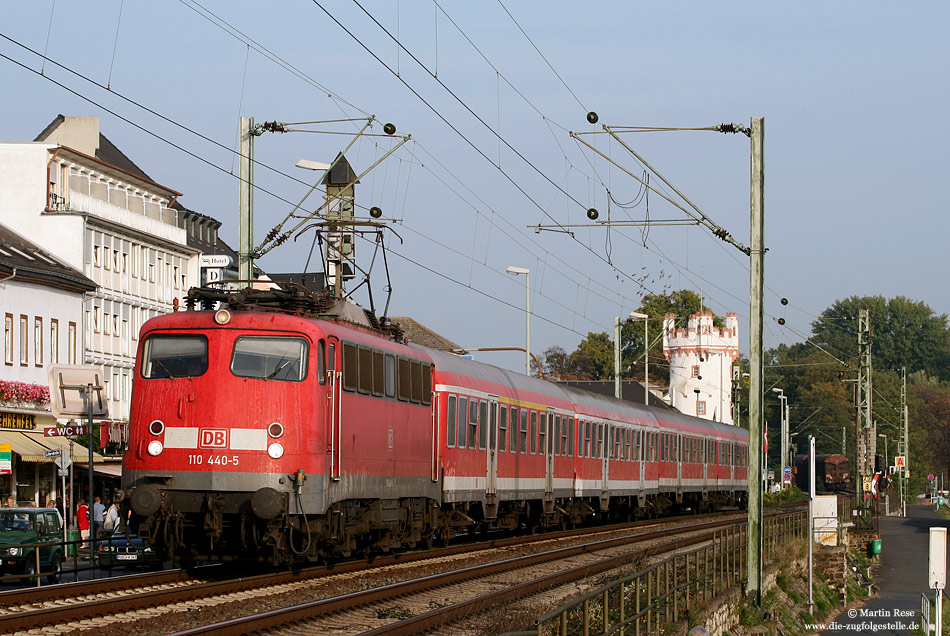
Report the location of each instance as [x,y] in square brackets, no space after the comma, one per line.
[286,426]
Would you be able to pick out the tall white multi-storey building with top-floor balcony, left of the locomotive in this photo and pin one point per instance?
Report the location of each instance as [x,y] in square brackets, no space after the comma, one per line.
[114,226]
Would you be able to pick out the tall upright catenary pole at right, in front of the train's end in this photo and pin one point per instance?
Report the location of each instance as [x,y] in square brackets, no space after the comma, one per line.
[756,285]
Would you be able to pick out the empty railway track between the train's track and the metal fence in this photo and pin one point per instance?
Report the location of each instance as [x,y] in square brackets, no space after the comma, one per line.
[421,604]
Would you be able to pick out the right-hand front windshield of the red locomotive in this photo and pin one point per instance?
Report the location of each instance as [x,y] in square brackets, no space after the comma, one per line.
[270,358]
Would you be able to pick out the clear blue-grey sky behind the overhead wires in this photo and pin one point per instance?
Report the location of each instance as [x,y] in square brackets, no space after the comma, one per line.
[854,95]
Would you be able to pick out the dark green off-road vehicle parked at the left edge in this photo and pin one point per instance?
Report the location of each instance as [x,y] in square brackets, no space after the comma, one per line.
[26,527]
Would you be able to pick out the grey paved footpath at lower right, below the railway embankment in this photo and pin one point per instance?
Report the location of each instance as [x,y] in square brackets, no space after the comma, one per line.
[901,577]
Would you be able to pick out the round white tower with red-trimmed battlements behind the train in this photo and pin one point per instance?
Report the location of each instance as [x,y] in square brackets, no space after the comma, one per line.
[701,358]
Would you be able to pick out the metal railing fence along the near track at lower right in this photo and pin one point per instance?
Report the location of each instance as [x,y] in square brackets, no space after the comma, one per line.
[659,595]
